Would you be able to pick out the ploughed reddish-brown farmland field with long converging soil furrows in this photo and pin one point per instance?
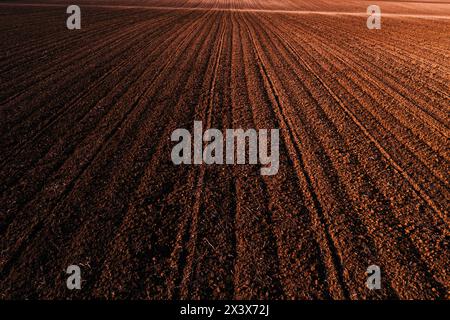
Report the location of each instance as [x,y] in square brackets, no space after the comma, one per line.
[85,150]
